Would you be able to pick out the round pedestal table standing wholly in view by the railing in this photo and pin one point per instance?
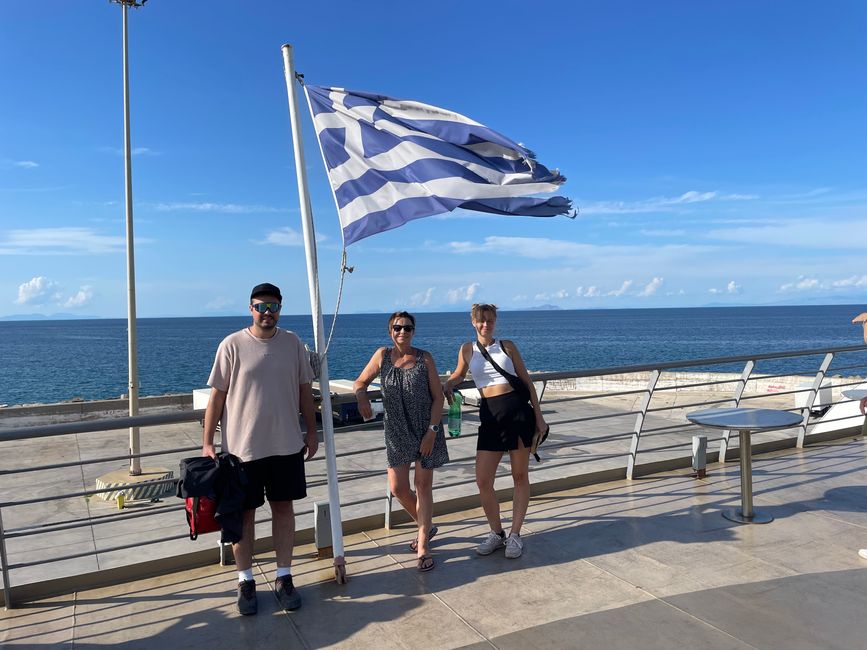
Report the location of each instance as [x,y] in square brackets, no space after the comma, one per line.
[746,421]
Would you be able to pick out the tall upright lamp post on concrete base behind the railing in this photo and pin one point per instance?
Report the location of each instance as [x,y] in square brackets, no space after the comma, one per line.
[134,442]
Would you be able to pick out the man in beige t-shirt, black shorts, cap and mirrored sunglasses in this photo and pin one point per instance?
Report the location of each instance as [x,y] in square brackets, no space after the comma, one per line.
[261,379]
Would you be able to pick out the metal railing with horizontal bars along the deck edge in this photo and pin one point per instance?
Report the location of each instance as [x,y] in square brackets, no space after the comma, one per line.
[639,435]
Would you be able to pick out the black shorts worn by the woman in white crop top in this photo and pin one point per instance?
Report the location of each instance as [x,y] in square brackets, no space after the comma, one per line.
[504,419]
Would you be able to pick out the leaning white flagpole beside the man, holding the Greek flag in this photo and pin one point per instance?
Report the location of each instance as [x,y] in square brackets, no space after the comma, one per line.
[318,329]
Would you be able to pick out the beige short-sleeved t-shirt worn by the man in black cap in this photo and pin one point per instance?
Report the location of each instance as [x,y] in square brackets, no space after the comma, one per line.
[261,378]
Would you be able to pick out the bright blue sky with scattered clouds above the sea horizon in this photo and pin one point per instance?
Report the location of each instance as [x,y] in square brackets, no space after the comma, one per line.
[717,152]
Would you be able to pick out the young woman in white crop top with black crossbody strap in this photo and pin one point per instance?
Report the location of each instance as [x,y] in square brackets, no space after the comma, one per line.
[507,424]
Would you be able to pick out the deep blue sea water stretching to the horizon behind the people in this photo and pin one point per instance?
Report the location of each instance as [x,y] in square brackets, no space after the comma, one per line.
[51,361]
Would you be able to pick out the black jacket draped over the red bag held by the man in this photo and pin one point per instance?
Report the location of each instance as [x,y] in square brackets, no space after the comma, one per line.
[224,481]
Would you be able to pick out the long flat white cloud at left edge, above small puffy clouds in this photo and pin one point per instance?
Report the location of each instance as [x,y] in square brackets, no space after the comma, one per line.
[62,241]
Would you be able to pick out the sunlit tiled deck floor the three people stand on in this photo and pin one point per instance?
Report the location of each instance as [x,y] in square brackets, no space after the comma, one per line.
[649,563]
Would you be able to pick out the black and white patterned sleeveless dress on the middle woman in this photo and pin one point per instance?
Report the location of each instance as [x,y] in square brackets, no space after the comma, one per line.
[407,401]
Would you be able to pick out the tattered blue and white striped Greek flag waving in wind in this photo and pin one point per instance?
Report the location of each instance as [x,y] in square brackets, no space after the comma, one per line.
[390,161]
